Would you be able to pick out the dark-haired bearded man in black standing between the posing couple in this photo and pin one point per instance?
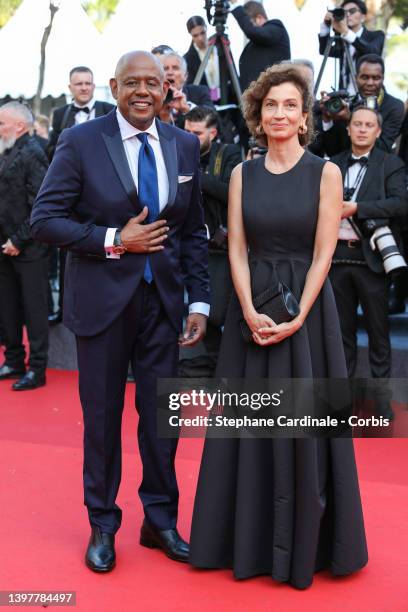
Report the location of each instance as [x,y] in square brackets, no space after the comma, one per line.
[217,161]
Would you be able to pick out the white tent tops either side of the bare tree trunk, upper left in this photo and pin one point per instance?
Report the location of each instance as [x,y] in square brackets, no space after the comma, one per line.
[74,40]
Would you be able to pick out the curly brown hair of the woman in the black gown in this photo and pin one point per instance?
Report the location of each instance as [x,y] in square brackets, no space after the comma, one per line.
[253,98]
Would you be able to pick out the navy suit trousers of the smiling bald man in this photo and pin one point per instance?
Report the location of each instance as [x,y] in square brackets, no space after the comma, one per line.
[144,336]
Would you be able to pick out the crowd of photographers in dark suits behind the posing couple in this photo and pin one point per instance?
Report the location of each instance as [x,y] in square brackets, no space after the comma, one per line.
[360,126]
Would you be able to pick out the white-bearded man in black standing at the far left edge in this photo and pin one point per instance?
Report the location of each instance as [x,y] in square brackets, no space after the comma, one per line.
[23,261]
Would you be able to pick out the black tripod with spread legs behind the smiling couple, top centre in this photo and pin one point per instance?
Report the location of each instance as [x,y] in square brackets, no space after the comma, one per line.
[221,41]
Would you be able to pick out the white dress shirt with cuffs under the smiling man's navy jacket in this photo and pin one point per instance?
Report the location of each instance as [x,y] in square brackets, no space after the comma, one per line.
[132,147]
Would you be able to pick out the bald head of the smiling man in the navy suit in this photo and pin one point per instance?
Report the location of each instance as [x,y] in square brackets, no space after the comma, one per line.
[139,87]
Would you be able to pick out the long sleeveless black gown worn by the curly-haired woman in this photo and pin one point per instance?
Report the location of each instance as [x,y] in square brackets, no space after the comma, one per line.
[282,507]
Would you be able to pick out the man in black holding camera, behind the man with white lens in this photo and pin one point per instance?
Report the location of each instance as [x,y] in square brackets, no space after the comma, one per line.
[336,108]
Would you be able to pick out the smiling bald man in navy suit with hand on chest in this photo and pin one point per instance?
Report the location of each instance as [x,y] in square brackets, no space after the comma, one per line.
[123,195]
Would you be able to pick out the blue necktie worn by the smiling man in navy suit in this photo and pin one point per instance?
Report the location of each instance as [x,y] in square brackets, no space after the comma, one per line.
[148,188]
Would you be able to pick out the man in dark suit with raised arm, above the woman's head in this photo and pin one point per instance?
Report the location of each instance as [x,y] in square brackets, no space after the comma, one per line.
[268,41]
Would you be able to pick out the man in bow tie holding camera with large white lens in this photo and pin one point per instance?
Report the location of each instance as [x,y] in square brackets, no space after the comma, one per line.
[375,196]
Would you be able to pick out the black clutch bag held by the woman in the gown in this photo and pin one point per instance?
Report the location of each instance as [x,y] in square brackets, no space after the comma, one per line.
[278,303]
